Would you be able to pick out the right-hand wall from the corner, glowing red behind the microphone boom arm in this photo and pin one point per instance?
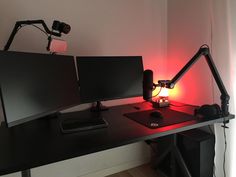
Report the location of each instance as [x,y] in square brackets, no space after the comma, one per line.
[188,28]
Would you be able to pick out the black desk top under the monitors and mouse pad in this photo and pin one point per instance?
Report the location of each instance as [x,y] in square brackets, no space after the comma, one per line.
[40,142]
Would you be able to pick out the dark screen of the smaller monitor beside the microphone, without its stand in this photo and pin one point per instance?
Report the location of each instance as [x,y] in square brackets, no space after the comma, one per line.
[109,77]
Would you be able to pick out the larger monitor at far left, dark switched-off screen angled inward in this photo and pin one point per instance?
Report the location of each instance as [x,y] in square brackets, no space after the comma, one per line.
[35,85]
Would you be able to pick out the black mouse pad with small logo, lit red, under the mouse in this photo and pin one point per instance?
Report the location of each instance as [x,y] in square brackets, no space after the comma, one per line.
[169,117]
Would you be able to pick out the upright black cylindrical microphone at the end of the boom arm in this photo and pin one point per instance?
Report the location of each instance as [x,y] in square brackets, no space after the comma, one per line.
[147,84]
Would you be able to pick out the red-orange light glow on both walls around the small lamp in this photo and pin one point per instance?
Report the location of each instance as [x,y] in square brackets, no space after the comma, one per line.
[195,85]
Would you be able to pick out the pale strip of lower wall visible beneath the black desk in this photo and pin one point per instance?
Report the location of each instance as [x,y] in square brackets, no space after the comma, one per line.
[98,164]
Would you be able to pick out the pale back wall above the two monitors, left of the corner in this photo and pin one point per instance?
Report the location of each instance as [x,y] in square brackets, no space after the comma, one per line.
[99,27]
